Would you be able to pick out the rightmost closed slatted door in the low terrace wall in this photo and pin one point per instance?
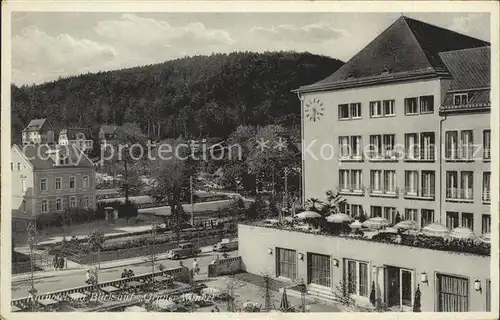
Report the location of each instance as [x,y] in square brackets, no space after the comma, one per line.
[453,293]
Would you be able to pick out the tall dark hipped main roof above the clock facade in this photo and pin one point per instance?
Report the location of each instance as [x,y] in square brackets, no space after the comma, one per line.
[406,49]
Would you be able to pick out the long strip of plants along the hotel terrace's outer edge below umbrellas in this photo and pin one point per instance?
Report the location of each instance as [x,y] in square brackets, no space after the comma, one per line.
[419,241]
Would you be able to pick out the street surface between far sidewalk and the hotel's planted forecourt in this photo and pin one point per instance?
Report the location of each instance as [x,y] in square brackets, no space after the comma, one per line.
[77,278]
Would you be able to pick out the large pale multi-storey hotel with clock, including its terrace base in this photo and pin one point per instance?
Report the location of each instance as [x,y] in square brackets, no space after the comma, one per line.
[402,128]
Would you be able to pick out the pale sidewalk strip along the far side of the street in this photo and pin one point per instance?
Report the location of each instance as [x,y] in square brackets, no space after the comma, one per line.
[74,267]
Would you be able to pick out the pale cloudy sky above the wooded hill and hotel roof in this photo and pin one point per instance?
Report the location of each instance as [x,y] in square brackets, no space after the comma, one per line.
[49,45]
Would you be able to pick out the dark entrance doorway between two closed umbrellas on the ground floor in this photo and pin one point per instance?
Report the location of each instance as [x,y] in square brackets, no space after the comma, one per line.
[399,287]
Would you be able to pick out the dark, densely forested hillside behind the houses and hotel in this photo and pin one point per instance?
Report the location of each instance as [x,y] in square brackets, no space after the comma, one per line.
[201,96]
